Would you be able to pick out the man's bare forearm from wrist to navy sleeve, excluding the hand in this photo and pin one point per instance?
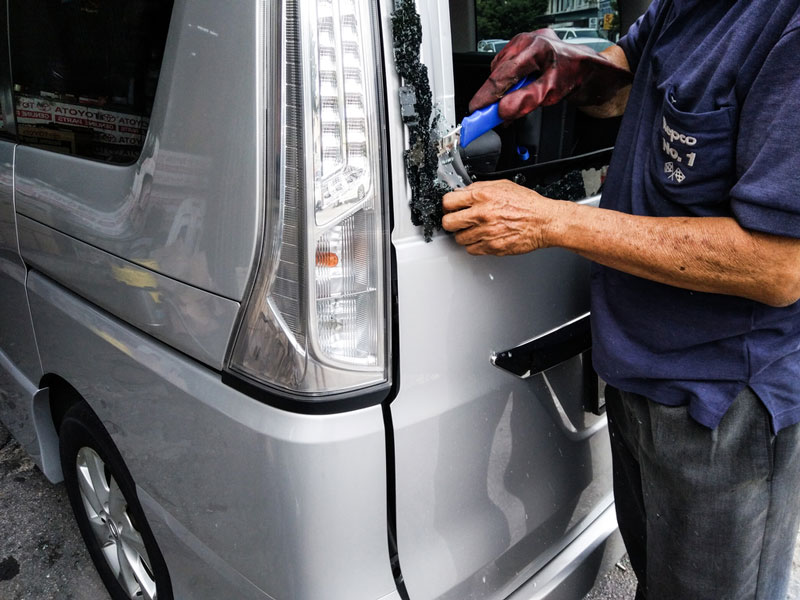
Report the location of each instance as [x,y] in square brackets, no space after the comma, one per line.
[712,254]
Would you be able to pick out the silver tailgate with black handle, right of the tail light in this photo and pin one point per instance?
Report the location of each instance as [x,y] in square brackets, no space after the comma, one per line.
[500,458]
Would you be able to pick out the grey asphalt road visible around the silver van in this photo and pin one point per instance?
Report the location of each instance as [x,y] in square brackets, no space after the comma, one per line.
[42,556]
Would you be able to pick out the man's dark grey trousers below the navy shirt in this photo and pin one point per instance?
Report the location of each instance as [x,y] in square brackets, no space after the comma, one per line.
[705,515]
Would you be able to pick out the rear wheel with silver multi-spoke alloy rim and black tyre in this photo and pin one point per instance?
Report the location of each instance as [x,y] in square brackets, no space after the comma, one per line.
[103,498]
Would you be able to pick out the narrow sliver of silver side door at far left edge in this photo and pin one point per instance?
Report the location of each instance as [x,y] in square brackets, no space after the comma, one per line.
[20,370]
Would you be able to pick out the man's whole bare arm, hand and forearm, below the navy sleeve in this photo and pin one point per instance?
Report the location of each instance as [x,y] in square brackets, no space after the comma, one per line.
[709,254]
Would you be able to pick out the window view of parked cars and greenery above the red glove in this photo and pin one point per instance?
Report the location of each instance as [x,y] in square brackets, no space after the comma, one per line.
[500,20]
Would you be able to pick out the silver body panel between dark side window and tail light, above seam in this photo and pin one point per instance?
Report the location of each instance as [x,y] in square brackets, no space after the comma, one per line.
[190,207]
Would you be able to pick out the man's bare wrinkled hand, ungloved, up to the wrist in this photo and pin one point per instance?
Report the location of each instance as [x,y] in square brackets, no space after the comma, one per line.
[499,217]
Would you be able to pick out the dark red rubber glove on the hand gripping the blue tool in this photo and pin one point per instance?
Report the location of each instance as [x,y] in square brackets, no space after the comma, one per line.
[572,71]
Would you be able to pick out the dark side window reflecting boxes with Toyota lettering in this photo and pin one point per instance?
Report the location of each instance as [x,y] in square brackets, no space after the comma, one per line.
[85,73]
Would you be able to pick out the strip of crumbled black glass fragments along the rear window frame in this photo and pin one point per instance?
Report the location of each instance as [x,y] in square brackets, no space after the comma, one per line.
[416,103]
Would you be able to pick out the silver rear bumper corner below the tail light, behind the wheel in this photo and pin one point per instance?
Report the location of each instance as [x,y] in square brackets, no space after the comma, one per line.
[293,504]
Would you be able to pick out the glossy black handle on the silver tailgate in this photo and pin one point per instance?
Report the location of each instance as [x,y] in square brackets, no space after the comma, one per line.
[546,350]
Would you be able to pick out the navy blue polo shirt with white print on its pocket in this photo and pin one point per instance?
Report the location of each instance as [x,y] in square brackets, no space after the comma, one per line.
[712,128]
